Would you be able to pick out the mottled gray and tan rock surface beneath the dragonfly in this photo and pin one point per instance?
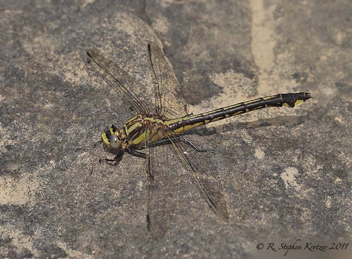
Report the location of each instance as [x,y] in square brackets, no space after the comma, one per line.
[286,173]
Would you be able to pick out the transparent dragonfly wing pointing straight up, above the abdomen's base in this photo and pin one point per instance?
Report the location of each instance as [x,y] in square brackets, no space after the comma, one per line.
[165,84]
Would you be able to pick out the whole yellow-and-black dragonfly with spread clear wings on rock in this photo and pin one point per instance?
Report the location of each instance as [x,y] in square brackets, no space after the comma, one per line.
[156,133]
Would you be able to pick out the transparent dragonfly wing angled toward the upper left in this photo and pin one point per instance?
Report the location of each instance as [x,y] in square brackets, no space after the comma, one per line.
[134,94]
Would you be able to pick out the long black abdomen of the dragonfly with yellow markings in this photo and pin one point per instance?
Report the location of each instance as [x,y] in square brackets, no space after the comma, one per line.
[279,100]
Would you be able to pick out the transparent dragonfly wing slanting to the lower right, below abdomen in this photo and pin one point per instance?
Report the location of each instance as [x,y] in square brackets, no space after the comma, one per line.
[204,173]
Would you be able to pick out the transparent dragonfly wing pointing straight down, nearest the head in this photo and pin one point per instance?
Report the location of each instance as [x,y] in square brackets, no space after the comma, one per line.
[161,188]
